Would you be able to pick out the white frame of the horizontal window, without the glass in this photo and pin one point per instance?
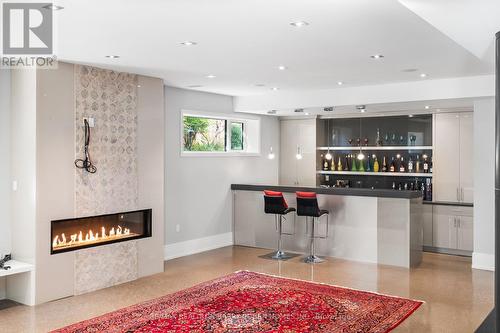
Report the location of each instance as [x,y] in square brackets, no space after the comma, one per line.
[229,118]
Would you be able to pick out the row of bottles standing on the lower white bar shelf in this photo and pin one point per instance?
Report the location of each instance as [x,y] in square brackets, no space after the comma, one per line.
[371,163]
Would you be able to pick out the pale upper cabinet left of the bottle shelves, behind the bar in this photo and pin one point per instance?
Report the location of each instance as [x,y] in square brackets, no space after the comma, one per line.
[298,136]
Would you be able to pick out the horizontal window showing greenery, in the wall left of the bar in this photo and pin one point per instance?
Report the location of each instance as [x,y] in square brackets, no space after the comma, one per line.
[206,134]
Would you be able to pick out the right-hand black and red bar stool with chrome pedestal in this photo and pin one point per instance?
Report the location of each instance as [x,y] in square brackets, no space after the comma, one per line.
[307,205]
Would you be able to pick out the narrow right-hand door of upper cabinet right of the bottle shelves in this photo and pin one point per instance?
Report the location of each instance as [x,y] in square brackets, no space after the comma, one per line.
[466,160]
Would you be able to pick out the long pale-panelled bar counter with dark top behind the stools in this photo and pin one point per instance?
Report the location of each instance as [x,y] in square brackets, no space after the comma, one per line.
[369,225]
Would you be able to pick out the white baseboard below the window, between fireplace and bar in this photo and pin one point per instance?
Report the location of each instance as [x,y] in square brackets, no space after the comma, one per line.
[193,246]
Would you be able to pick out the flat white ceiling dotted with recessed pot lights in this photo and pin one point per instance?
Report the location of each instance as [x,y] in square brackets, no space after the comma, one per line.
[243,42]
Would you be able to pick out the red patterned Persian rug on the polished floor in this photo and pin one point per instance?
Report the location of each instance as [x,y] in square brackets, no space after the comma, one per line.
[250,302]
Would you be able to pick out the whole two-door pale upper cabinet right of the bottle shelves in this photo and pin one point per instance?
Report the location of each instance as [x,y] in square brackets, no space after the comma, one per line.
[453,151]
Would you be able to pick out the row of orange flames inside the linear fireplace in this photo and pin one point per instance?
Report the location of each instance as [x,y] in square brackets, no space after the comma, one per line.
[79,238]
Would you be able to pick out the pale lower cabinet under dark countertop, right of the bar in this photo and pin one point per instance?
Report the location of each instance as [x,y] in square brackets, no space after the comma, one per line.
[452,228]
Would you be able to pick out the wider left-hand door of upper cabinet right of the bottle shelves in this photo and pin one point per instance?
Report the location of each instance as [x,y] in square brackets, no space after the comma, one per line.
[446,157]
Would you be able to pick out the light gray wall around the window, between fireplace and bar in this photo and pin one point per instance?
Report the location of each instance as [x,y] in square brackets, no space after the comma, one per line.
[197,189]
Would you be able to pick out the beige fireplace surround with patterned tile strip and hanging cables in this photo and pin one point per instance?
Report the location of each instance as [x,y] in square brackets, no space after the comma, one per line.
[127,149]
